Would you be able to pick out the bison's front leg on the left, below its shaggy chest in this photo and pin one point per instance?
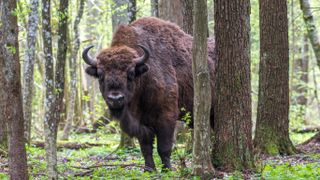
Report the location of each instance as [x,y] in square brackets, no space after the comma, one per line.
[146,145]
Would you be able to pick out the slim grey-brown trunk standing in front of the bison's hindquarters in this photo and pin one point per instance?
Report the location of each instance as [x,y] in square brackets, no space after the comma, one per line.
[202,93]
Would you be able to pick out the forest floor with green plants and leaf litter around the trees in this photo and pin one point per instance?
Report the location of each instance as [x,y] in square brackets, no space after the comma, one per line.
[101,158]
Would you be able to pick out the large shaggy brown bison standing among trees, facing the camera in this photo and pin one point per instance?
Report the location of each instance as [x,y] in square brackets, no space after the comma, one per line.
[145,78]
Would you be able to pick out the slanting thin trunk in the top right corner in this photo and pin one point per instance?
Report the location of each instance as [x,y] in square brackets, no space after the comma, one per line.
[311,28]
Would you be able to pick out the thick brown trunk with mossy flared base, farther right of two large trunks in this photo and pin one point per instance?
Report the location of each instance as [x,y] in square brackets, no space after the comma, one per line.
[272,127]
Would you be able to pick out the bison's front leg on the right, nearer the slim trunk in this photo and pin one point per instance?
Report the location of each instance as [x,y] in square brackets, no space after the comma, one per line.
[165,141]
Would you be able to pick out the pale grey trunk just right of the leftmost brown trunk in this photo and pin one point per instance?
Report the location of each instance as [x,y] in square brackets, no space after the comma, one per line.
[29,67]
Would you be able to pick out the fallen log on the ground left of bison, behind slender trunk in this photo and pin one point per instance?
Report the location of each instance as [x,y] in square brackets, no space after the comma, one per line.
[68,145]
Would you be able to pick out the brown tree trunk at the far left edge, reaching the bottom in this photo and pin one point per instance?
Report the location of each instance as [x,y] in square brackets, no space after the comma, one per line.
[10,75]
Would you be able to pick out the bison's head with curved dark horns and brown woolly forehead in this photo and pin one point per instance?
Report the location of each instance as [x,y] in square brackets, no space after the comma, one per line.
[117,69]
